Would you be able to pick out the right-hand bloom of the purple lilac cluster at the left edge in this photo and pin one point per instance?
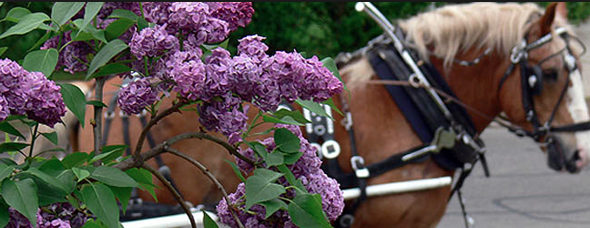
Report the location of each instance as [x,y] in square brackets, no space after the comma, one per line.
[44,101]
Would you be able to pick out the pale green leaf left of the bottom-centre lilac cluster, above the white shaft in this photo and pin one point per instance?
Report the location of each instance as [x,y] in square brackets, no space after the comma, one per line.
[260,187]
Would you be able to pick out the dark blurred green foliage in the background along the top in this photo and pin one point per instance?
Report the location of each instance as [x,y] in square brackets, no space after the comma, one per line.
[320,28]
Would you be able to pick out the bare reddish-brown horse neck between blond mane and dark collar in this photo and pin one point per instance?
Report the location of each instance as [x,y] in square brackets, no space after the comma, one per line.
[476,85]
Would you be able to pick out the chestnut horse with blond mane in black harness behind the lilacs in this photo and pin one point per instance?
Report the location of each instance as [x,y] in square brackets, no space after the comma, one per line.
[440,37]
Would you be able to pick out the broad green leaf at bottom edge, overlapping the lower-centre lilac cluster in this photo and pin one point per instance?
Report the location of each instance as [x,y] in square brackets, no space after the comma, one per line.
[306,211]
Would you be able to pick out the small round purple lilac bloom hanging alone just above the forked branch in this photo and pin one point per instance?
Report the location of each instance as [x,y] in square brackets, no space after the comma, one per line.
[136,95]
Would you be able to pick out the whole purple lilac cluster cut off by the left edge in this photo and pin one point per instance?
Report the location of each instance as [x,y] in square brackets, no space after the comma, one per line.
[30,93]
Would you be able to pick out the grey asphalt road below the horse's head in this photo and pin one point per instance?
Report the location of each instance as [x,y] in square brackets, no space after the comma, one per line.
[522,190]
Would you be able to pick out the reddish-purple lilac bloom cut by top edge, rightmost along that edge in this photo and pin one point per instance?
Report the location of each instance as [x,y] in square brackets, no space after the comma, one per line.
[234,13]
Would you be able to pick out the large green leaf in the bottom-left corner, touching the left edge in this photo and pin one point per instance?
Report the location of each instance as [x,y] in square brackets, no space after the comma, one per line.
[22,196]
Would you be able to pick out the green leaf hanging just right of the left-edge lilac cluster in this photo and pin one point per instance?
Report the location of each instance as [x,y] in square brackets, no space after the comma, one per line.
[75,100]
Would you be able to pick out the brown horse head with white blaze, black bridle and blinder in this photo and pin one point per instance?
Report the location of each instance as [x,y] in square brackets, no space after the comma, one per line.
[547,67]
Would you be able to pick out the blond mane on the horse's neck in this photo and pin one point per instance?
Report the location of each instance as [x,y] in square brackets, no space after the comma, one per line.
[455,28]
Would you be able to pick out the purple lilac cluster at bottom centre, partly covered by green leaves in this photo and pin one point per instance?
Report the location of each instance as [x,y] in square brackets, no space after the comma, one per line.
[307,169]
